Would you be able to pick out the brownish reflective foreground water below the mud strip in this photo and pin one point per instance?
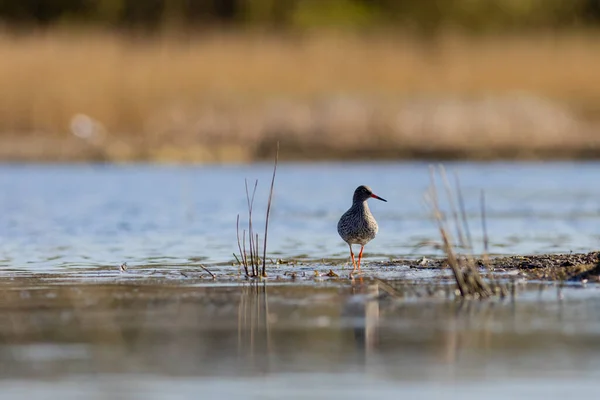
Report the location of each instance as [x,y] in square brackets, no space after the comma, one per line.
[126,338]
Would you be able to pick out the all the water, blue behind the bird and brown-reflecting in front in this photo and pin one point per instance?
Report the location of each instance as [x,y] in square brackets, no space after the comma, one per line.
[73,326]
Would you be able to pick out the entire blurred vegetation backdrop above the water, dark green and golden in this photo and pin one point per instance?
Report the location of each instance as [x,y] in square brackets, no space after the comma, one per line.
[222,80]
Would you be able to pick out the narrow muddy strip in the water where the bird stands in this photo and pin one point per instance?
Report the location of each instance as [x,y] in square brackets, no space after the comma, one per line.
[572,267]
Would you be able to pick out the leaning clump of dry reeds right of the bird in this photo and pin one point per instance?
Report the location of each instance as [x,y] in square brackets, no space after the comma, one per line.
[459,251]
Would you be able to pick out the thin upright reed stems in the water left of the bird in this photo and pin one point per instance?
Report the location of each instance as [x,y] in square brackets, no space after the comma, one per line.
[250,258]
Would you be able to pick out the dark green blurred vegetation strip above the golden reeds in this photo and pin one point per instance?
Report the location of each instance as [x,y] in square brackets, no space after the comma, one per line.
[425,16]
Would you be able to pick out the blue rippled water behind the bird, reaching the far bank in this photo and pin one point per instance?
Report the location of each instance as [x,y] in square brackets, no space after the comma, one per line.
[79,216]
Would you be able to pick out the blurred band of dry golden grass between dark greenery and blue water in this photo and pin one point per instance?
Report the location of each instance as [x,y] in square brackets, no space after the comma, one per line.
[228,97]
